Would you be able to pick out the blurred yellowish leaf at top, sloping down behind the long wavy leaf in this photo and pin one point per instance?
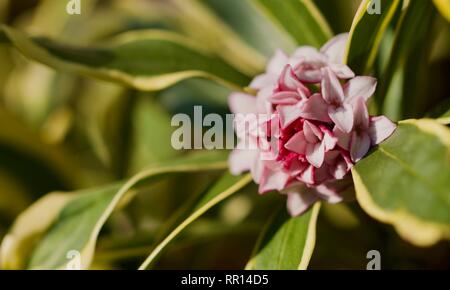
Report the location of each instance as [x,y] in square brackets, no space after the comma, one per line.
[201,25]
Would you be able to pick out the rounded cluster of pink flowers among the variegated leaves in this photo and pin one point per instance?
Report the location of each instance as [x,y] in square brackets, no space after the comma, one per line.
[316,127]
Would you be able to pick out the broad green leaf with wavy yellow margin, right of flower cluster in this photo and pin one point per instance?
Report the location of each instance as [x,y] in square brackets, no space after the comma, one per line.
[406,181]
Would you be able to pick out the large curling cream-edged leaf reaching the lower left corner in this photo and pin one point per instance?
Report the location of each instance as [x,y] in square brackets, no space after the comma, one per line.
[60,223]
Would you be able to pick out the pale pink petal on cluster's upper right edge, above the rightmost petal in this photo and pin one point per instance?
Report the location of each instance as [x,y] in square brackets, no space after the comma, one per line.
[359,87]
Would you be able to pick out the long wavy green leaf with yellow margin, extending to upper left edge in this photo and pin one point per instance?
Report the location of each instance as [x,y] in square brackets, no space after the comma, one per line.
[146,60]
